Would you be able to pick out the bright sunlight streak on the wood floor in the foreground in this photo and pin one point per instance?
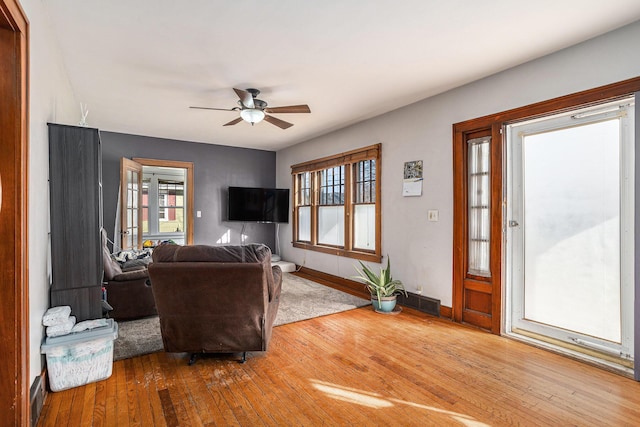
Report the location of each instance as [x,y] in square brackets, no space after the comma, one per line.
[375,400]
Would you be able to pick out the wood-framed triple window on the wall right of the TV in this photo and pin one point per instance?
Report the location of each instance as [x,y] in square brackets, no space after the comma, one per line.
[337,204]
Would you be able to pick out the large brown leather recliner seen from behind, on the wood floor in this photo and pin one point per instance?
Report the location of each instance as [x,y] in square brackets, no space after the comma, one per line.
[215,299]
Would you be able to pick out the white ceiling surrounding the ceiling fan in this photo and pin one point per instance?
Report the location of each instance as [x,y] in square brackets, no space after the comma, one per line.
[140,64]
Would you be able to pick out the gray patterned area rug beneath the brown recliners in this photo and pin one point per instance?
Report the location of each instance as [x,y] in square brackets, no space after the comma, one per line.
[300,299]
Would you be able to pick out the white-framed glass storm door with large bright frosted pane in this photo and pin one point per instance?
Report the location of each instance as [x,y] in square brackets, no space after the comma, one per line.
[570,231]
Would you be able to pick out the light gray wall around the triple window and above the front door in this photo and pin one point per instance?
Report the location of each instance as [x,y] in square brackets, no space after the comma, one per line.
[421,251]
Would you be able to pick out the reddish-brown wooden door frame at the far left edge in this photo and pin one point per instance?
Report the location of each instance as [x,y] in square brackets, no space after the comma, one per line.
[14,124]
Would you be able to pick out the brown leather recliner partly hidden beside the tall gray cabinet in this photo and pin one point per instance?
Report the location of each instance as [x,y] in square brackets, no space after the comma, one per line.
[129,291]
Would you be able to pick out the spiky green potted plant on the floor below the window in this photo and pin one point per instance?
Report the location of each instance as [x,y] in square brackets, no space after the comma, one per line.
[383,288]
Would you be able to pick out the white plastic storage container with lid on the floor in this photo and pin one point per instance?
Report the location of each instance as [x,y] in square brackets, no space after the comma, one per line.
[80,358]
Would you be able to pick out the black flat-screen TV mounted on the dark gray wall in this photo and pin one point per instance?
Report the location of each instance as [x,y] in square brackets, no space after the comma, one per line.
[258,204]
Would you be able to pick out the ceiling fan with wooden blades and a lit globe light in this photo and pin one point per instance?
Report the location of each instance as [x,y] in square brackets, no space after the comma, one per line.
[253,110]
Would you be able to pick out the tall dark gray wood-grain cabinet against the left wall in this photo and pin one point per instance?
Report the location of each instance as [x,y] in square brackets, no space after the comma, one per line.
[75,192]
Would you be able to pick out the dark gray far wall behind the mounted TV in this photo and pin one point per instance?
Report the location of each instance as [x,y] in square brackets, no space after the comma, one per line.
[216,167]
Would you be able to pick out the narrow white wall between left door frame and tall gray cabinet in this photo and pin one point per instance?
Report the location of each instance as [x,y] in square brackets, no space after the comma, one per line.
[50,100]
